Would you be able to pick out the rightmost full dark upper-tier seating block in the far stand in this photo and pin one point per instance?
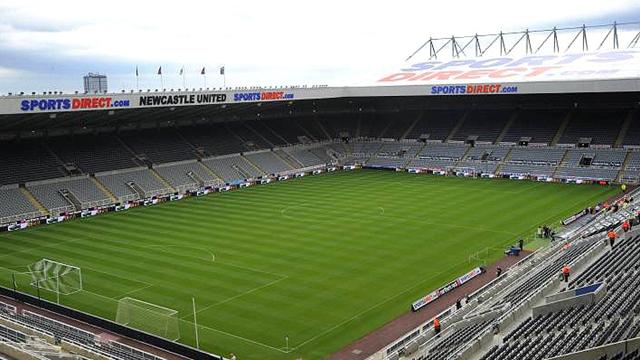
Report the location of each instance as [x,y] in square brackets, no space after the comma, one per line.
[602,126]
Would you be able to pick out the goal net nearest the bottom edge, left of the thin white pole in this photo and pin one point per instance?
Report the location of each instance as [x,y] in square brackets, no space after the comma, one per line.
[150,318]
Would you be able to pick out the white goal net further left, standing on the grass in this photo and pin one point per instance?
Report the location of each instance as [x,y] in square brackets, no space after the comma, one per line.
[57,277]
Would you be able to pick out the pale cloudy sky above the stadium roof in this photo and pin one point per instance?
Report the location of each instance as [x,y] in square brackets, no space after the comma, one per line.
[48,45]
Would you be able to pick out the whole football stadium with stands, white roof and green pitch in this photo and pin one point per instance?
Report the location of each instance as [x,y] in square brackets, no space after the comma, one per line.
[479,202]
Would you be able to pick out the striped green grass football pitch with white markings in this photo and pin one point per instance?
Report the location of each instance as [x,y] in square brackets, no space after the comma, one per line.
[322,260]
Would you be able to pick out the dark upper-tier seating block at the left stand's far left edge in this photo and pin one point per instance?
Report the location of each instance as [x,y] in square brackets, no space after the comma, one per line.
[23,162]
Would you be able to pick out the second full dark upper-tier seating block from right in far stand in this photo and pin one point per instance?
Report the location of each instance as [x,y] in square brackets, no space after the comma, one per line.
[538,124]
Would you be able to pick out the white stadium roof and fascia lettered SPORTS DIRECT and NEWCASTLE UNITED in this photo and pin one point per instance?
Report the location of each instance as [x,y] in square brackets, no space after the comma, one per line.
[611,71]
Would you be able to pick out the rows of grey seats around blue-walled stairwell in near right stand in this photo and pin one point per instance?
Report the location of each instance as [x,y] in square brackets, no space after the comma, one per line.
[609,320]
